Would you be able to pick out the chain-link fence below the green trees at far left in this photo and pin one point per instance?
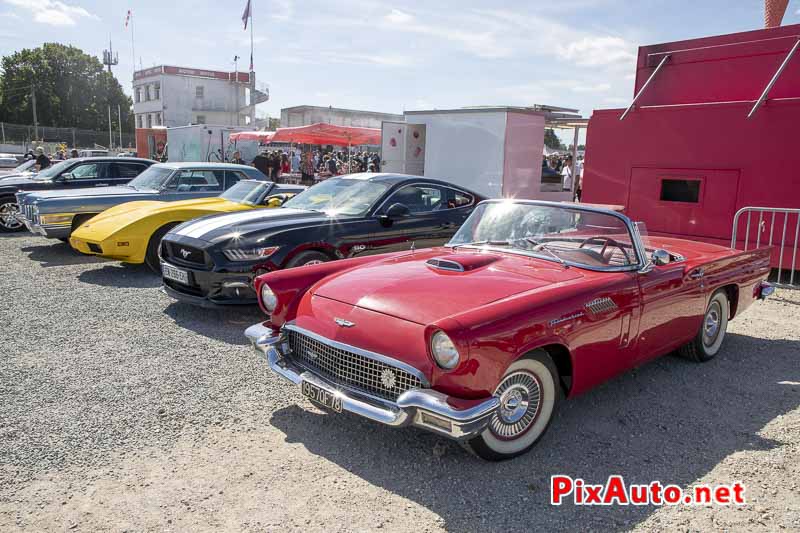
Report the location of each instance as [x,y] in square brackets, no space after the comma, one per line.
[26,136]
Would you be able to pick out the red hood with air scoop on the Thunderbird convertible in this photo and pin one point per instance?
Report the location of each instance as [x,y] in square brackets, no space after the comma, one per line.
[412,288]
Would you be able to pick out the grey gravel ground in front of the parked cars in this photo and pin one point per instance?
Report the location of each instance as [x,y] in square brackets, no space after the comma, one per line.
[121,410]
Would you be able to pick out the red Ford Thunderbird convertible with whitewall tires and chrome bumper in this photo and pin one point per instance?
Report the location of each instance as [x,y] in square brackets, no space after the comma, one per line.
[479,340]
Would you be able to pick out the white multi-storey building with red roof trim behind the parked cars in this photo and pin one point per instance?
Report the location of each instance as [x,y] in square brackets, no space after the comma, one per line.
[177,96]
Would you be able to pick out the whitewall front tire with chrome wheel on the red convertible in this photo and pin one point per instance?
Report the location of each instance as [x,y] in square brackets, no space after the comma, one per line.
[529,393]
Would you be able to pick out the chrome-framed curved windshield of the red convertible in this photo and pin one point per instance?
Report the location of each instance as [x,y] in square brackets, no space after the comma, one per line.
[567,235]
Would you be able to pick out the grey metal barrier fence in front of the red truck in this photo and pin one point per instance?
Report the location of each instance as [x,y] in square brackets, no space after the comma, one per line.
[786,250]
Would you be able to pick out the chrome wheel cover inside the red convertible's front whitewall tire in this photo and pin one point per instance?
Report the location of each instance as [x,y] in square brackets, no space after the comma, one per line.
[520,396]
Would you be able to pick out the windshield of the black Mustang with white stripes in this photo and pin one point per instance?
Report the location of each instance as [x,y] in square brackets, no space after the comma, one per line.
[340,196]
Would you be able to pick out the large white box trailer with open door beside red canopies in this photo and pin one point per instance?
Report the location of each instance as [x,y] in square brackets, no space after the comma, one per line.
[493,151]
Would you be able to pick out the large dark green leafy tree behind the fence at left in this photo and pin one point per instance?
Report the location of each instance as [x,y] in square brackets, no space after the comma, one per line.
[73,90]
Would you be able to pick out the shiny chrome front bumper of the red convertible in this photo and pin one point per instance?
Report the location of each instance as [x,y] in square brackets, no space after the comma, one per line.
[424,408]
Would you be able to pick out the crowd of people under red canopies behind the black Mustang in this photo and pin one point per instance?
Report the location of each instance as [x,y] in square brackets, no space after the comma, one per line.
[279,164]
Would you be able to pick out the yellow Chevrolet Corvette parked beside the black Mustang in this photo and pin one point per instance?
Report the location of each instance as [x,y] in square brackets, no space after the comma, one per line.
[132,232]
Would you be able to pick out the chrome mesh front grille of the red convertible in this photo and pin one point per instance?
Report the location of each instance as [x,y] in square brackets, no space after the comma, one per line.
[350,369]
